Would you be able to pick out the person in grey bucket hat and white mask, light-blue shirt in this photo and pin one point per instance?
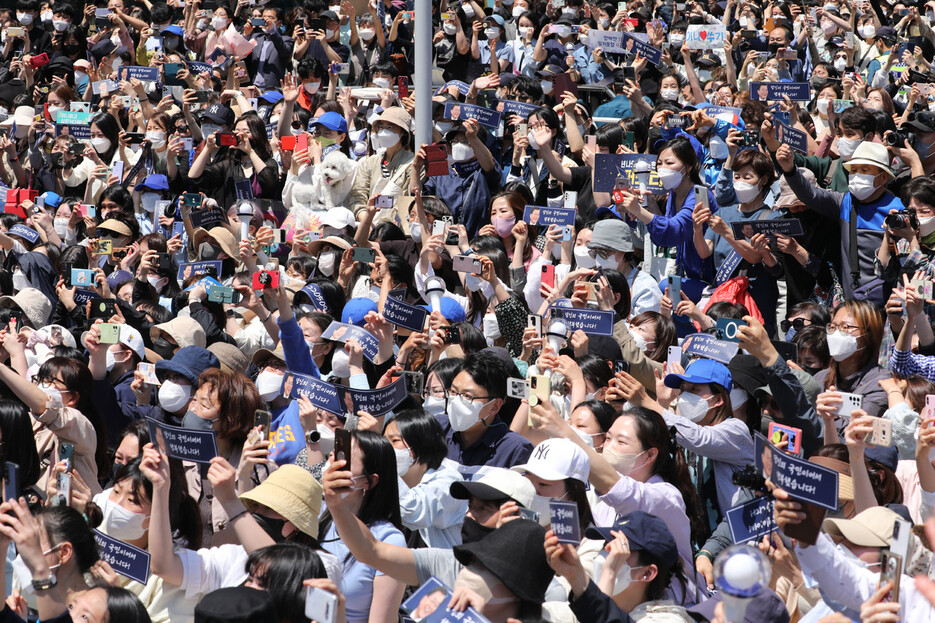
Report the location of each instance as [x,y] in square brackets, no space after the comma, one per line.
[611,246]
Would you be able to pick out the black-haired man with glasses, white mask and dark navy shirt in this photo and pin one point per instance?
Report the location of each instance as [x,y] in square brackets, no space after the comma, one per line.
[476,435]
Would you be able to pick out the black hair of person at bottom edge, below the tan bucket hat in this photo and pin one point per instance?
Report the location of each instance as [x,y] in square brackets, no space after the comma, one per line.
[280,569]
